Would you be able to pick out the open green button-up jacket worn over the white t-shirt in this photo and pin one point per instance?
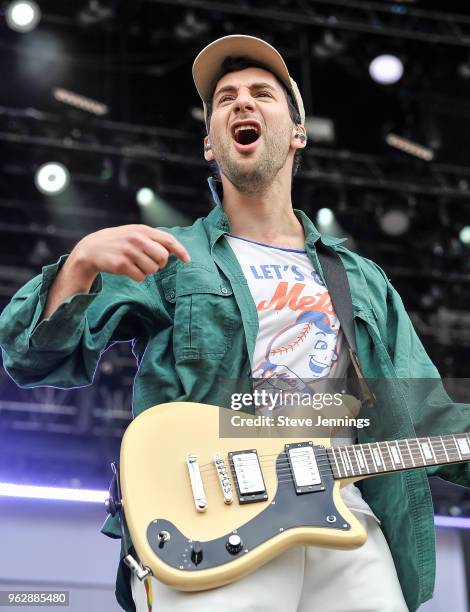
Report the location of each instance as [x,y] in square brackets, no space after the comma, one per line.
[193,325]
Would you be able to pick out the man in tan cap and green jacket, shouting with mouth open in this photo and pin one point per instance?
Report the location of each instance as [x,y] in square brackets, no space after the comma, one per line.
[241,293]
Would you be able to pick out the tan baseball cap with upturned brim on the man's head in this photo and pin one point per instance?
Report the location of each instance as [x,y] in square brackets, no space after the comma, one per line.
[208,65]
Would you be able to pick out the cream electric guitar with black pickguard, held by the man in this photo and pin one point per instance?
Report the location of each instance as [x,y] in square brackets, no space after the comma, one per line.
[204,511]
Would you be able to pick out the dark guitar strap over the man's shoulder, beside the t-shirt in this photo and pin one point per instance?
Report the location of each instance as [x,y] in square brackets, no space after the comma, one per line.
[340,294]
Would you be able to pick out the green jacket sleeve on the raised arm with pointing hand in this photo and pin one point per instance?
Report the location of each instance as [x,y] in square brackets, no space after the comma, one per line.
[64,349]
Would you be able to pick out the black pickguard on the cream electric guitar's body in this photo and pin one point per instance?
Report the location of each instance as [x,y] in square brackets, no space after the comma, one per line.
[286,511]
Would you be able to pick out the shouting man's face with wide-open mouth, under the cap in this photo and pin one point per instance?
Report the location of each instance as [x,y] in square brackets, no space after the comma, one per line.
[252,156]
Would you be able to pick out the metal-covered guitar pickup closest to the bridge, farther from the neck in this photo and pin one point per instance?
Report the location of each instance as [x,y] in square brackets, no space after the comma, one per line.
[247,476]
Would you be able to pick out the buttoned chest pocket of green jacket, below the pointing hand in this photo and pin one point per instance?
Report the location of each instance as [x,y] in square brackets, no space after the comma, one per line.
[206,314]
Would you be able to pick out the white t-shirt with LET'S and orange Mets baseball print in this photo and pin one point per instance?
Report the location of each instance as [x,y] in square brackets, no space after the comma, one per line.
[299,334]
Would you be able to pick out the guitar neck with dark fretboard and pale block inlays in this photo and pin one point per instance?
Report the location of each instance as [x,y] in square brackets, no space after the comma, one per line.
[393,456]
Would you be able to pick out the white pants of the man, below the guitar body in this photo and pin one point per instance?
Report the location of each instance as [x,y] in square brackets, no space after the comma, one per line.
[303,579]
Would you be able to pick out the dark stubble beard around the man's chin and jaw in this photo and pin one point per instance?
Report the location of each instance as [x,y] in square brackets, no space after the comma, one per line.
[255,175]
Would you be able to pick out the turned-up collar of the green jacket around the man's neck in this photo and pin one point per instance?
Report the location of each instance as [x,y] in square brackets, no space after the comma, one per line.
[217,221]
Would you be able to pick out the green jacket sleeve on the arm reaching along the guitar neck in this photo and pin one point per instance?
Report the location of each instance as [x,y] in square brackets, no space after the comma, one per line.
[432,410]
